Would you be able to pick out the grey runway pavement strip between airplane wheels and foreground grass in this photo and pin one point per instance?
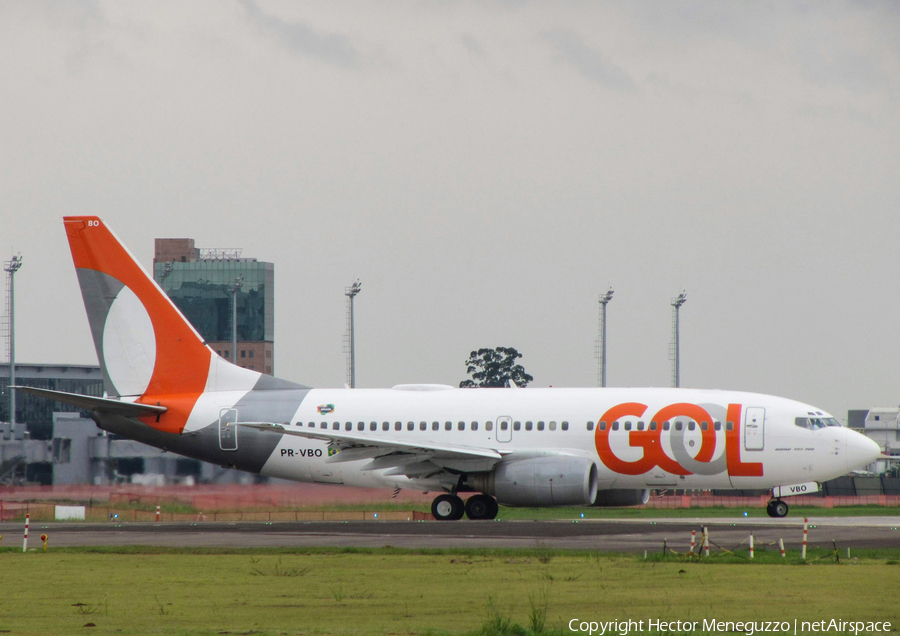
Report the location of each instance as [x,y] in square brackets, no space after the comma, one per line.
[607,535]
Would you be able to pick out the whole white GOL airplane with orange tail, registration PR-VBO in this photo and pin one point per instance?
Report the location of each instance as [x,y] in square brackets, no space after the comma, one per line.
[499,446]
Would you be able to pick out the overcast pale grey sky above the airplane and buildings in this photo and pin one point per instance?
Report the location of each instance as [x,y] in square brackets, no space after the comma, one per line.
[486,169]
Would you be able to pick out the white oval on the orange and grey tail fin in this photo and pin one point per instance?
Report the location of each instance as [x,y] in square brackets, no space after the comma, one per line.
[129,344]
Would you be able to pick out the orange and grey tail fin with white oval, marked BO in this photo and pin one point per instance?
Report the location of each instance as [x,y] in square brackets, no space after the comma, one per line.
[149,353]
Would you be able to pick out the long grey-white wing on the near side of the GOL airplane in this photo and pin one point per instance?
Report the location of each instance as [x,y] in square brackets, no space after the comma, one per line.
[413,459]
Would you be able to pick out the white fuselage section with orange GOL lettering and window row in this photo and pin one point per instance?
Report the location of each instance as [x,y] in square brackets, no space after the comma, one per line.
[763,448]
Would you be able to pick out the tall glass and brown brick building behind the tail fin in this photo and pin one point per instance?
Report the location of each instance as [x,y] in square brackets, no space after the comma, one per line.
[203,284]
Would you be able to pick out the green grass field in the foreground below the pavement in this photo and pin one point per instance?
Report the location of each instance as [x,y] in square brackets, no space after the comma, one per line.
[255,591]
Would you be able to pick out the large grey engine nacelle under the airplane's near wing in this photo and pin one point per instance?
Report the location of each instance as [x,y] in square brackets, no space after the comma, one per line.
[541,481]
